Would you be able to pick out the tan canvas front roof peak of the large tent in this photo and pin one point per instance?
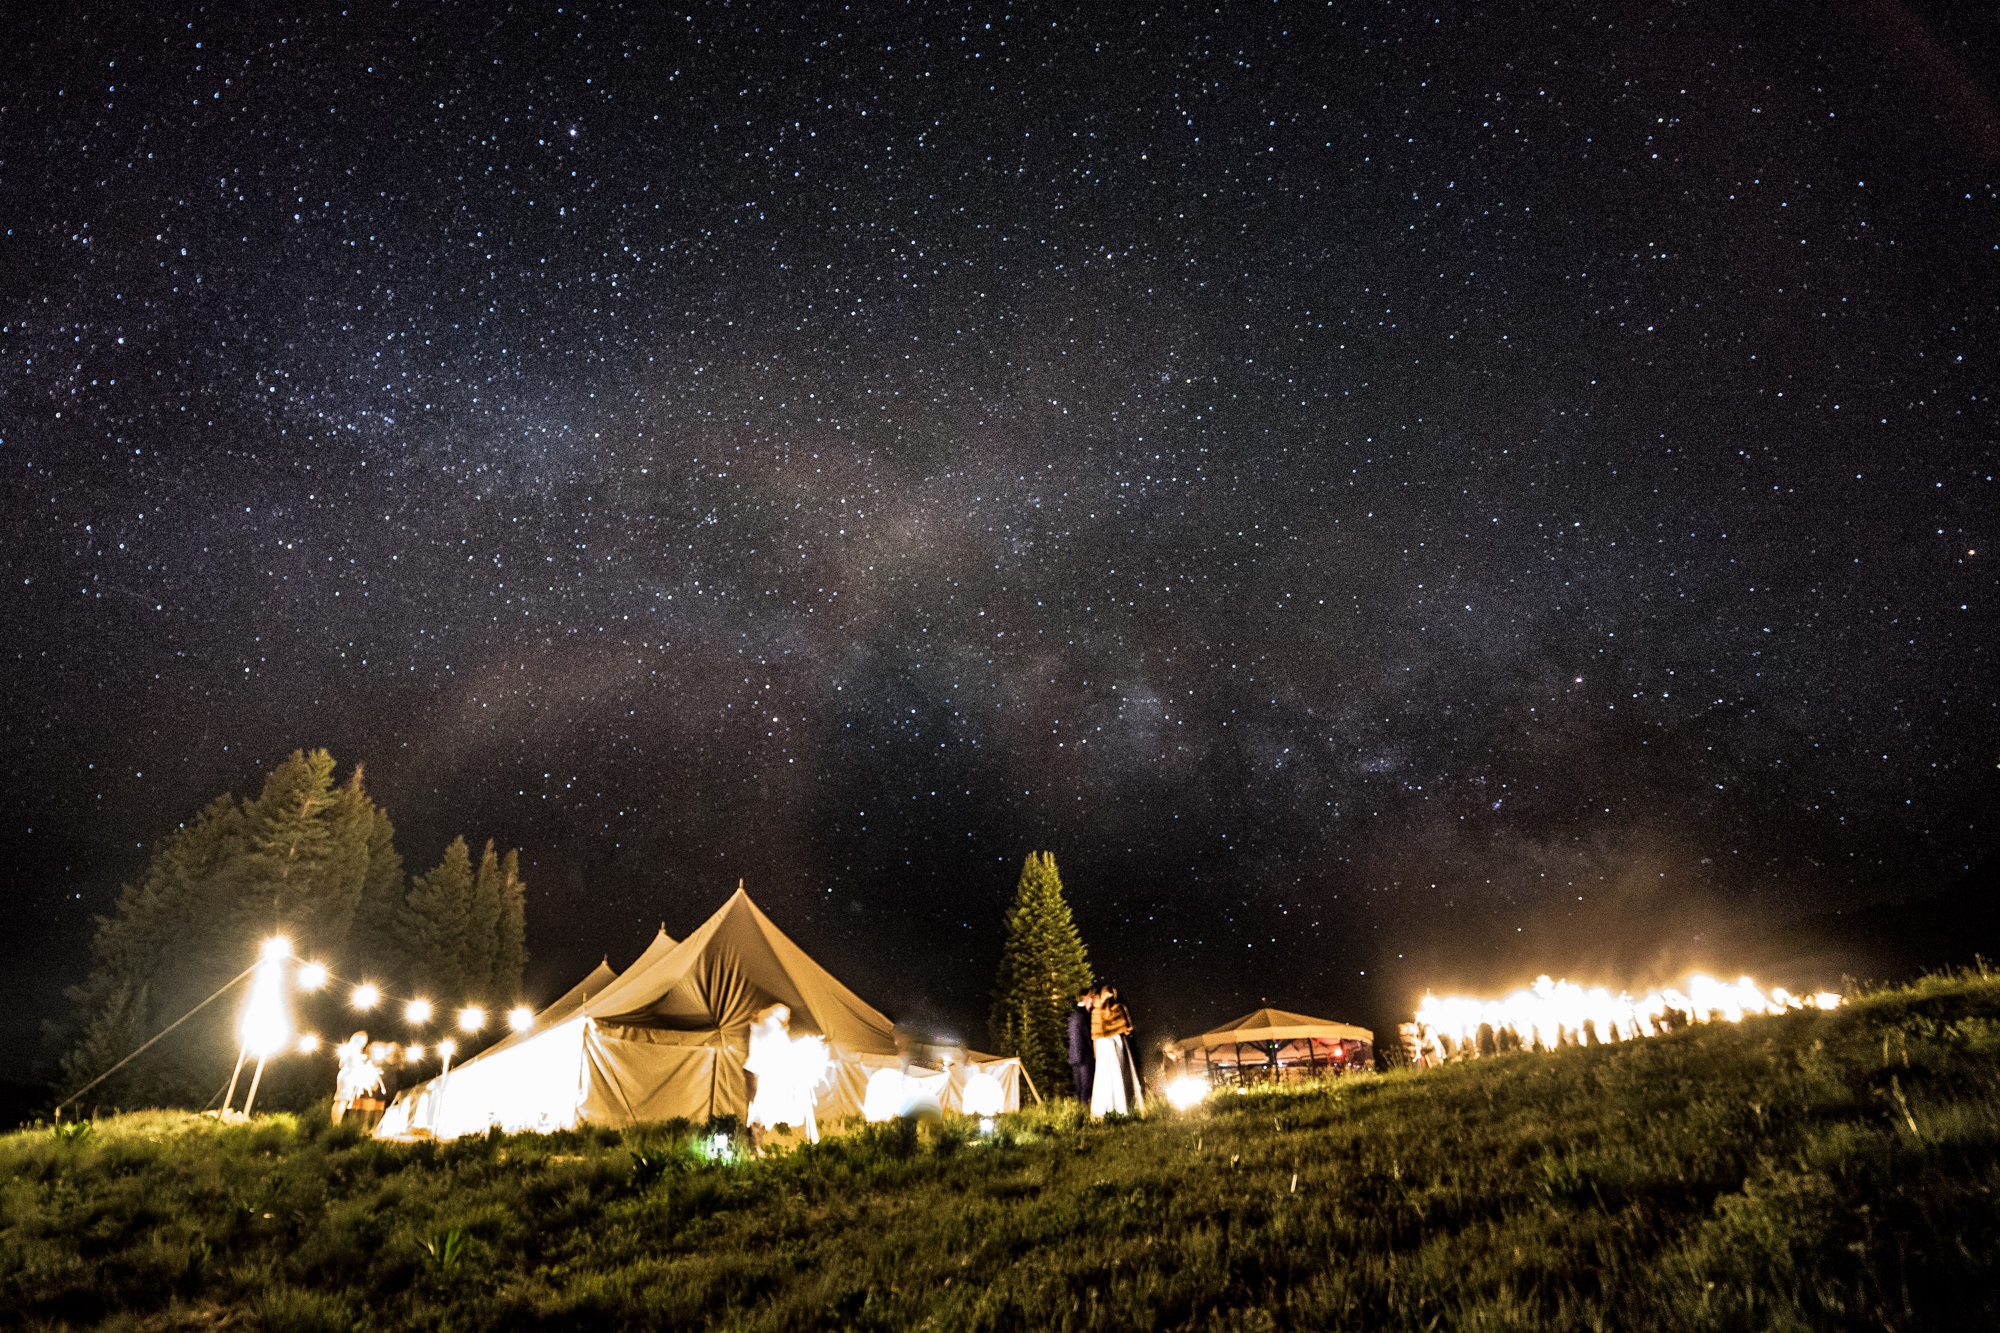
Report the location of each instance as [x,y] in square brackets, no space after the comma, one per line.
[733,966]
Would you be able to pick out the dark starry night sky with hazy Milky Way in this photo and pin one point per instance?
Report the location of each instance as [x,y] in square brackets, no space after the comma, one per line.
[1387,495]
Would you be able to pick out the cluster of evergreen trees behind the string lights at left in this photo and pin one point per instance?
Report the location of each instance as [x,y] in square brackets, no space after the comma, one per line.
[309,858]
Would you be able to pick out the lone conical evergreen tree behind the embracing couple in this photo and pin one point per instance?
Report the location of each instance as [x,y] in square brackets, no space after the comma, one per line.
[1043,966]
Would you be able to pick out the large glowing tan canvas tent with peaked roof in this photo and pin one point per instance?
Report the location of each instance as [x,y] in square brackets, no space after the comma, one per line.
[669,1038]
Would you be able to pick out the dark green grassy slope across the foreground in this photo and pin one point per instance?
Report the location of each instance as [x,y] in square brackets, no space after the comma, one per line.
[1811,1172]
